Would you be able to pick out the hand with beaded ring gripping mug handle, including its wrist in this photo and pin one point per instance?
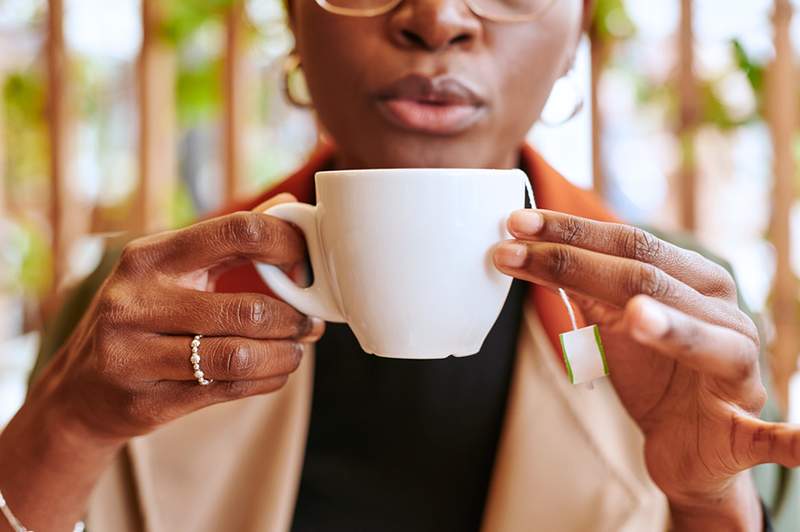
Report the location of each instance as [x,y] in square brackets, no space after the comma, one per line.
[126,371]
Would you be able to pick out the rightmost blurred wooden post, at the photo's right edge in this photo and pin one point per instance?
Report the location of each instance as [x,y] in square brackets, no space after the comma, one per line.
[782,115]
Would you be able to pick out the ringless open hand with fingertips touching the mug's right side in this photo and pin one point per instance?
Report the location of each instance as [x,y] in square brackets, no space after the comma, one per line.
[683,357]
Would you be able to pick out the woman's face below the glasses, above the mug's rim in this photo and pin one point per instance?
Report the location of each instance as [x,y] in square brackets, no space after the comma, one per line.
[431,84]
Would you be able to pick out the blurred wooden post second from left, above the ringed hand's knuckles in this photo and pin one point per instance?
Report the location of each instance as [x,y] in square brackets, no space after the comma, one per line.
[157,125]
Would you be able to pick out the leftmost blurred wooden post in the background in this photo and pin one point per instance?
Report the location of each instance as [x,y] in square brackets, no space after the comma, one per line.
[63,232]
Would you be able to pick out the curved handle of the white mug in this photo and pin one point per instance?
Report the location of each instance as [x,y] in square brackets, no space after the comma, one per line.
[317,299]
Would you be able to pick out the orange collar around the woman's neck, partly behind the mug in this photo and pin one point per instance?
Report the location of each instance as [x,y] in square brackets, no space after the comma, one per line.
[552,190]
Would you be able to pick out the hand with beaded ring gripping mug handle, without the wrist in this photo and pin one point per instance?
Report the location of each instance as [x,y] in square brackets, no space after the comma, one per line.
[126,369]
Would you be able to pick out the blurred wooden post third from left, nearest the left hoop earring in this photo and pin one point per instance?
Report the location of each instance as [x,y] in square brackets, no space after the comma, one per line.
[235,101]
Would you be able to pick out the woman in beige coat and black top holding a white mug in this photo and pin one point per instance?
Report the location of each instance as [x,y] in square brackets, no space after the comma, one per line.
[497,441]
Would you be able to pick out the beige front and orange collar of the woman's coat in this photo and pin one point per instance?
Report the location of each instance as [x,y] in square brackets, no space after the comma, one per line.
[569,459]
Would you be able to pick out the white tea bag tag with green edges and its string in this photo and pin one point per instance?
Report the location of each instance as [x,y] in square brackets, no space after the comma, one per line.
[582,348]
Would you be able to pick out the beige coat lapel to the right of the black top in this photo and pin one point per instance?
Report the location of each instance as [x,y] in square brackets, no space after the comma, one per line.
[569,459]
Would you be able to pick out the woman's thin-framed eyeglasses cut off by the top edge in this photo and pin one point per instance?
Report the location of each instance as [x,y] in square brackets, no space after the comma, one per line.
[494,10]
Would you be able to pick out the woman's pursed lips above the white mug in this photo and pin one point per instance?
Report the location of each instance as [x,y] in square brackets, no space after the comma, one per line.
[439,106]
